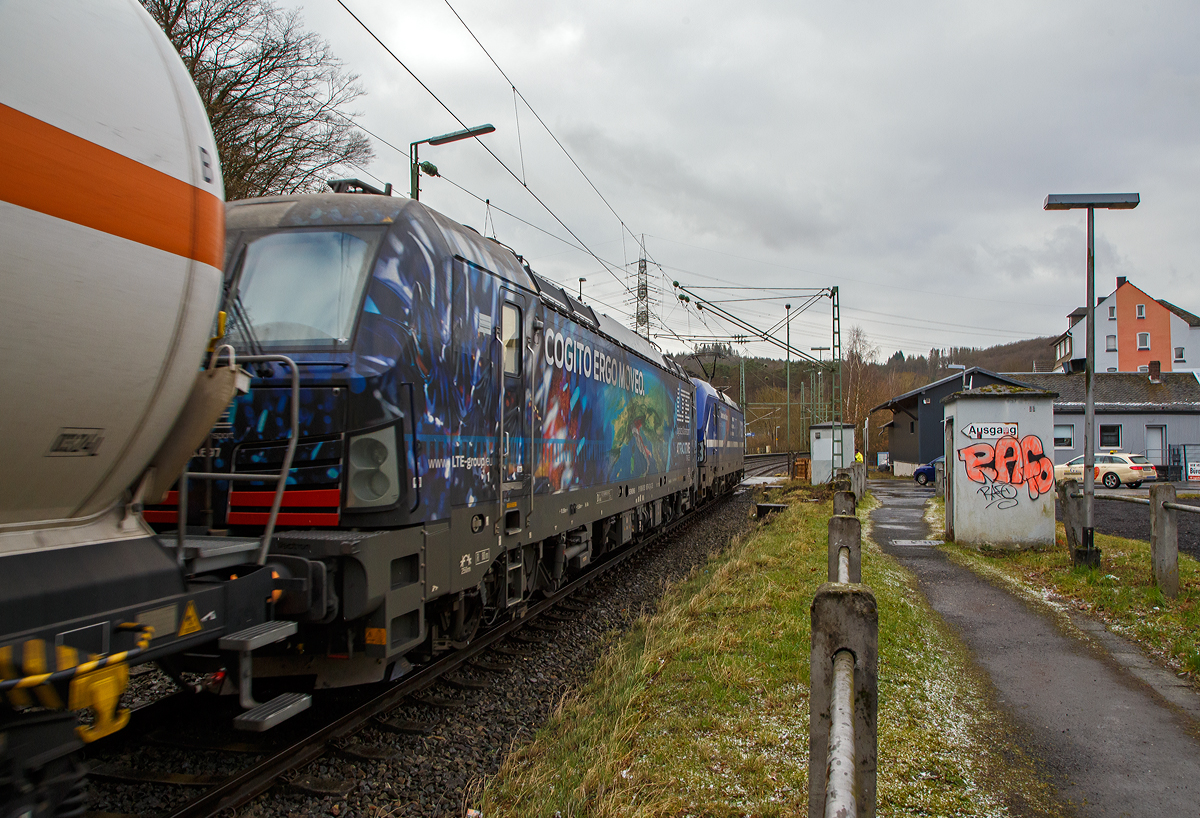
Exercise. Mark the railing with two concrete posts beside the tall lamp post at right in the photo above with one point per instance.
(1165, 532)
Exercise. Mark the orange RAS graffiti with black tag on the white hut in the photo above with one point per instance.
(1007, 465)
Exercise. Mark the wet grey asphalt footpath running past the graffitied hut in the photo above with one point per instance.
(1115, 735)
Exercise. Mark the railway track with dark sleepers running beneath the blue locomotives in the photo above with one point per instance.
(278, 761)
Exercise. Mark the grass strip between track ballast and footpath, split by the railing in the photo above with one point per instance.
(703, 708)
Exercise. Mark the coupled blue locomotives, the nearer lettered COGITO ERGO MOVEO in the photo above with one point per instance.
(471, 435)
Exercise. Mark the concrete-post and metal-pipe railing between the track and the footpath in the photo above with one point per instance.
(844, 671)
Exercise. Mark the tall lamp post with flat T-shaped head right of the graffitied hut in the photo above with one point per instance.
(1089, 555)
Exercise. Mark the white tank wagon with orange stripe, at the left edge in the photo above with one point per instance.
(112, 228)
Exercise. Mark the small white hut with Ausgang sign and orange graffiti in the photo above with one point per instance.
(1000, 488)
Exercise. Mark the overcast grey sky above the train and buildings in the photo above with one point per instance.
(899, 152)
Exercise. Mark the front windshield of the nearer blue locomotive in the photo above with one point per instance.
(302, 288)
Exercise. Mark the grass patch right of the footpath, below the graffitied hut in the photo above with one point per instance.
(1121, 592)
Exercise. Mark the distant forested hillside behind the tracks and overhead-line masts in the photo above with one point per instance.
(869, 378)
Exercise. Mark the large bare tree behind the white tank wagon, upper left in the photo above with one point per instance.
(275, 94)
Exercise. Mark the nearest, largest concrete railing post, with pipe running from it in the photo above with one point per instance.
(844, 618)
